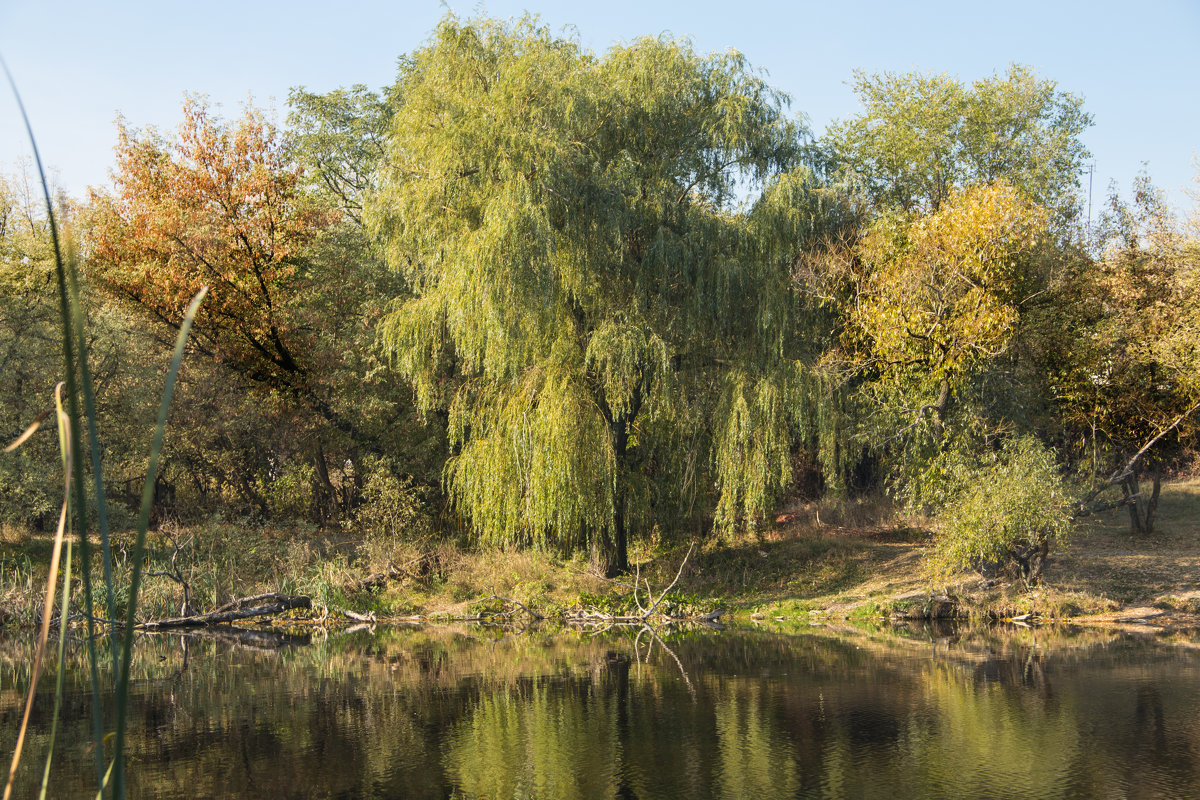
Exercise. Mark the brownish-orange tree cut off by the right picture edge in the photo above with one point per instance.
(1129, 377)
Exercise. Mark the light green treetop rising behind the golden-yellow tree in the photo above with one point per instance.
(920, 137)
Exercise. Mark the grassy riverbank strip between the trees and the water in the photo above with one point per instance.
(815, 562)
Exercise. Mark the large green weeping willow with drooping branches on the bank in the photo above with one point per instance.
(609, 332)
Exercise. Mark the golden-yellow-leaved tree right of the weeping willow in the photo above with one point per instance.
(938, 305)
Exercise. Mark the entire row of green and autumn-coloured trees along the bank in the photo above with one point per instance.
(543, 297)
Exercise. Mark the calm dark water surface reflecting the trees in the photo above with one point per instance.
(476, 713)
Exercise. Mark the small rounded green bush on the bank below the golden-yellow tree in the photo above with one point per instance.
(1005, 514)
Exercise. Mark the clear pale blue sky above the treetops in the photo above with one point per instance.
(79, 63)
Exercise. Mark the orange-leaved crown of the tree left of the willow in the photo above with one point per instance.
(218, 206)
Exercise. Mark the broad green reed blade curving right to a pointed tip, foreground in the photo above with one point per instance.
(123, 682)
